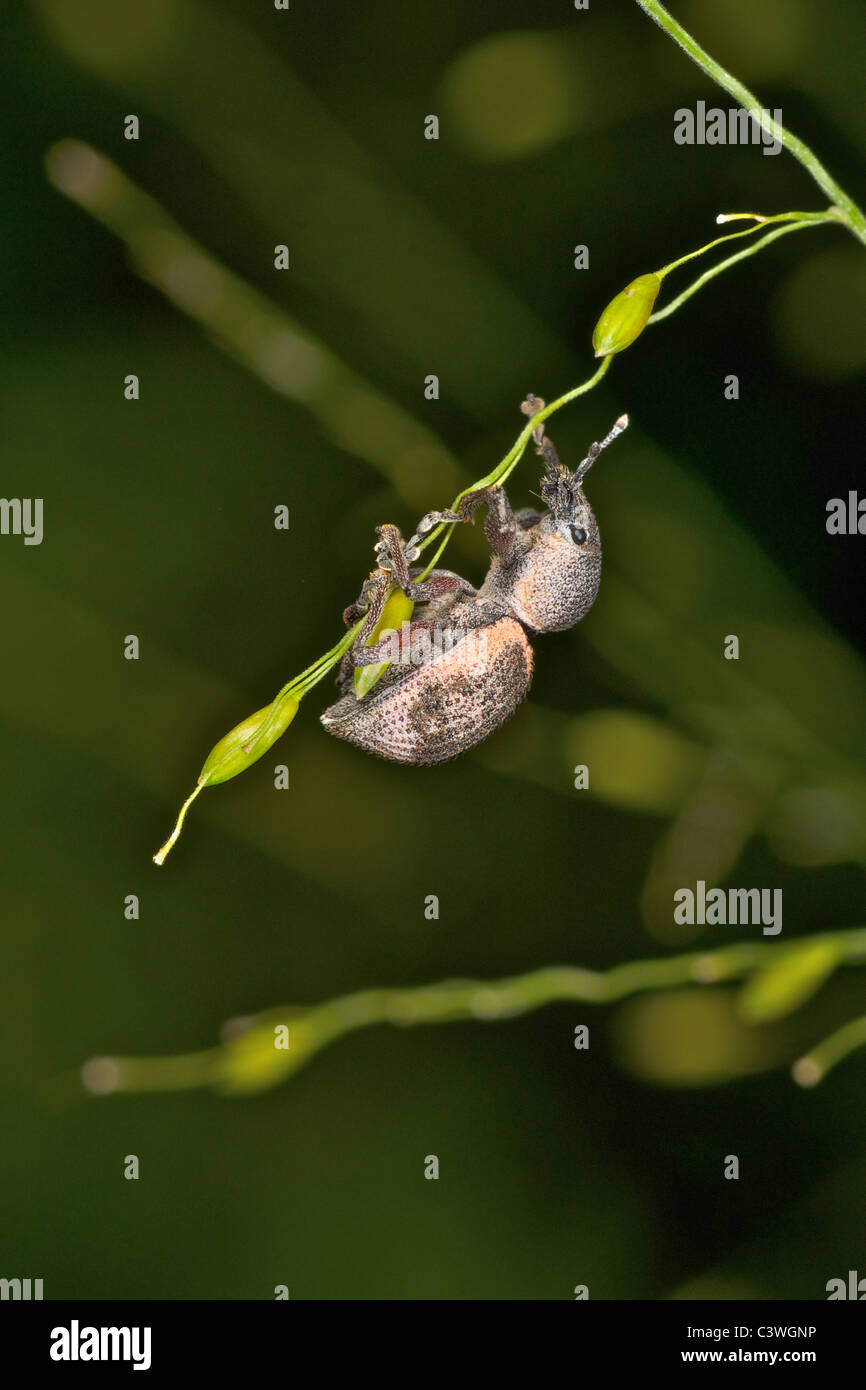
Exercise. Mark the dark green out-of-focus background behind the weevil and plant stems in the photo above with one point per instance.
(307, 389)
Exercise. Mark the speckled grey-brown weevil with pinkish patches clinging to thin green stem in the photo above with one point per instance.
(465, 664)
